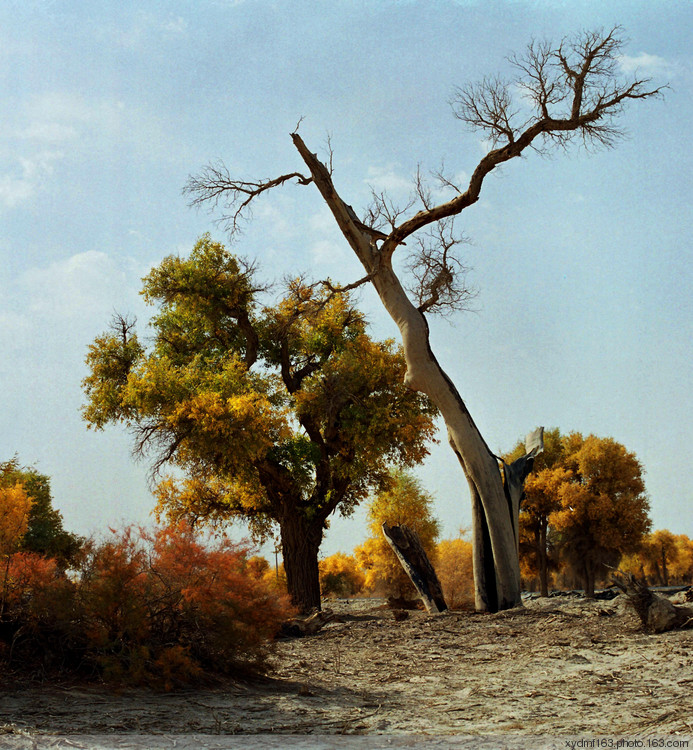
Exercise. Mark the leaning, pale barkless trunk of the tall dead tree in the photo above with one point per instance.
(494, 520)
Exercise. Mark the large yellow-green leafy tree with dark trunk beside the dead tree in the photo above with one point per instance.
(278, 414)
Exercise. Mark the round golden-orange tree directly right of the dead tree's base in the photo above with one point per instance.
(584, 505)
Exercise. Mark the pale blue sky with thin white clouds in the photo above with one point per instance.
(582, 261)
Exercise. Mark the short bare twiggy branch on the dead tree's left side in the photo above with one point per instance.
(214, 186)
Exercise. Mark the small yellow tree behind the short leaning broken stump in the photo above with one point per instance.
(404, 503)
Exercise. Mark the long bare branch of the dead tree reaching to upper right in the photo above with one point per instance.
(576, 92)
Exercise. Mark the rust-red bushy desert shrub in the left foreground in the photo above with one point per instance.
(158, 608)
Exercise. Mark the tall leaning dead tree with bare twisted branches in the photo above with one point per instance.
(571, 92)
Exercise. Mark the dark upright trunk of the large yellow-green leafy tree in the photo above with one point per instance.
(300, 545)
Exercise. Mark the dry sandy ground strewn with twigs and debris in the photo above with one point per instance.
(558, 666)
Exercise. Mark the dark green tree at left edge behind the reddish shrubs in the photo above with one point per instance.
(44, 534)
